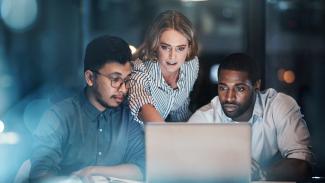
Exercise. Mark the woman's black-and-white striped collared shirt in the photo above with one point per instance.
(149, 87)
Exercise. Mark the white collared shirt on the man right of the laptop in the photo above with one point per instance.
(277, 126)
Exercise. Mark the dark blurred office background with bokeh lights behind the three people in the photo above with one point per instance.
(42, 43)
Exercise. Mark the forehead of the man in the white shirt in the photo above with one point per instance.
(233, 77)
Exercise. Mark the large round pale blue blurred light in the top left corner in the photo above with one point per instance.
(19, 14)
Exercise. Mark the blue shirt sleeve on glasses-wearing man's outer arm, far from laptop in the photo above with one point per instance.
(47, 151)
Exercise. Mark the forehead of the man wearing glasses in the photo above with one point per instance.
(114, 67)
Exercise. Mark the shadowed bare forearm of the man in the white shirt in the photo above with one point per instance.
(289, 169)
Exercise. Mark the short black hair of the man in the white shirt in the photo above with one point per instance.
(241, 62)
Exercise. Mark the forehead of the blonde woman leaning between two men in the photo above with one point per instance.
(173, 37)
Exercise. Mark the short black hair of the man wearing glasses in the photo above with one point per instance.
(106, 49)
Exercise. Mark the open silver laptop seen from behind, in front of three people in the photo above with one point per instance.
(187, 152)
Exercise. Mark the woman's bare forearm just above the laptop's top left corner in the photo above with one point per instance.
(149, 114)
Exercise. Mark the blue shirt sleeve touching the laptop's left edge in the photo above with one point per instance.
(135, 150)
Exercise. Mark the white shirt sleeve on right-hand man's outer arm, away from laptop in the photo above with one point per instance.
(292, 133)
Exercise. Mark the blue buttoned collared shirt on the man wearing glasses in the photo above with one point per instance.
(73, 134)
